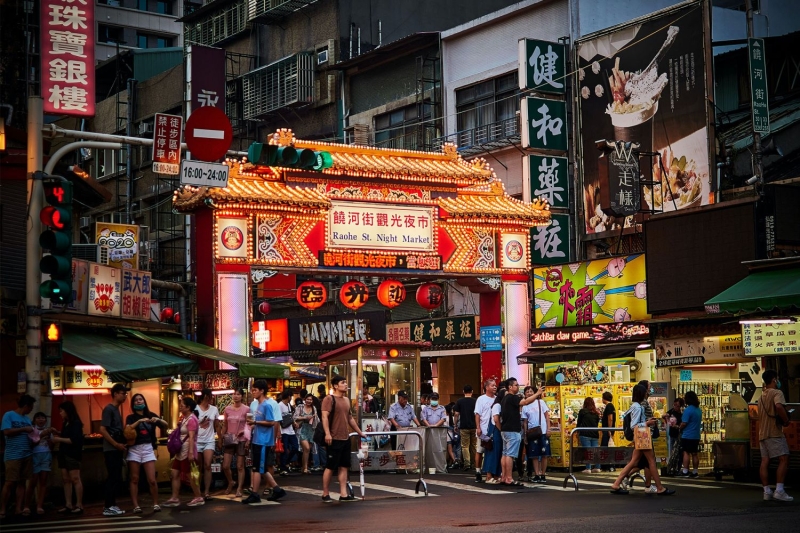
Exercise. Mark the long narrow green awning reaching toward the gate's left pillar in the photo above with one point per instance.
(248, 367)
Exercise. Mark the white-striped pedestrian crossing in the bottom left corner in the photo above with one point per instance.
(95, 525)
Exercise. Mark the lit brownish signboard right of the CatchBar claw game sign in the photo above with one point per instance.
(697, 350)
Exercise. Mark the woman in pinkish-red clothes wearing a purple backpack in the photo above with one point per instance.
(185, 455)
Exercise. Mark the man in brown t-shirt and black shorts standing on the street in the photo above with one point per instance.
(337, 422)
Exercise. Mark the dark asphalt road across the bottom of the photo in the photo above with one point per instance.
(456, 503)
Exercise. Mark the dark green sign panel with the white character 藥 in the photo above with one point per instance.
(547, 178)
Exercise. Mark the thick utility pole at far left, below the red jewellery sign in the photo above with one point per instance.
(33, 301)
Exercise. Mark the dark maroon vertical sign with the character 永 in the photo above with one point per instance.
(206, 77)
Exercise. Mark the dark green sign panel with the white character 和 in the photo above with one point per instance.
(544, 124)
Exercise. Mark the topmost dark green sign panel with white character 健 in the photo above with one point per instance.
(542, 66)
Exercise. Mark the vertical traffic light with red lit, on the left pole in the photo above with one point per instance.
(57, 240)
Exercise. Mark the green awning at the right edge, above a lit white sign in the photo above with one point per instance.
(765, 291)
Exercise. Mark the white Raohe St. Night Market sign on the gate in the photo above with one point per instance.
(380, 226)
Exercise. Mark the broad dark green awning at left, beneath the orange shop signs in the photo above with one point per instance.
(125, 361)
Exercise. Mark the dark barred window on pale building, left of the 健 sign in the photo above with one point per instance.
(490, 107)
